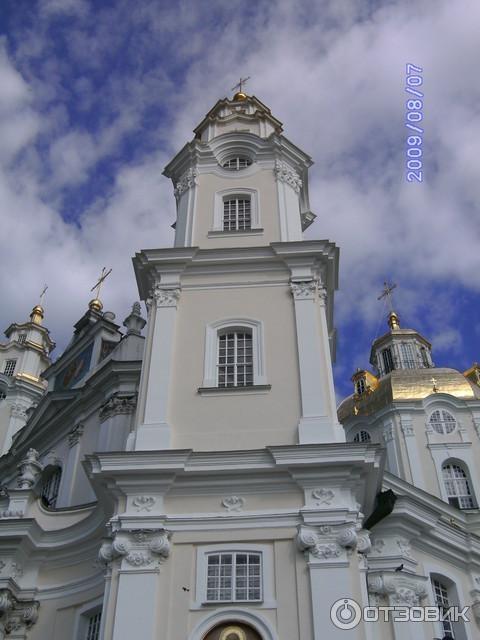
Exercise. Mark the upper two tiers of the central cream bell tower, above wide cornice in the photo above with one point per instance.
(240, 322)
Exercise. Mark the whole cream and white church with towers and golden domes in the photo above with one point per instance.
(186, 475)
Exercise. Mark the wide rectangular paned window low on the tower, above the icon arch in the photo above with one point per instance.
(234, 577)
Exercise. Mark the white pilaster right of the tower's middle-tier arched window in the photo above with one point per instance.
(318, 422)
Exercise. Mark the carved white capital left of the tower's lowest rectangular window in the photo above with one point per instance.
(139, 548)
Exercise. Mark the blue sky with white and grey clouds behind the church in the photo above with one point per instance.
(97, 95)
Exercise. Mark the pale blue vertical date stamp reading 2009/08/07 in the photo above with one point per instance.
(414, 117)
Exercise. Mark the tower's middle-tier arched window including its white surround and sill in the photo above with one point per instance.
(234, 354)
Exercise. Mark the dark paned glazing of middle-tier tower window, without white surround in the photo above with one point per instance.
(235, 359)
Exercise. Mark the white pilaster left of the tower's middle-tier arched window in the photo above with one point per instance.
(153, 431)
